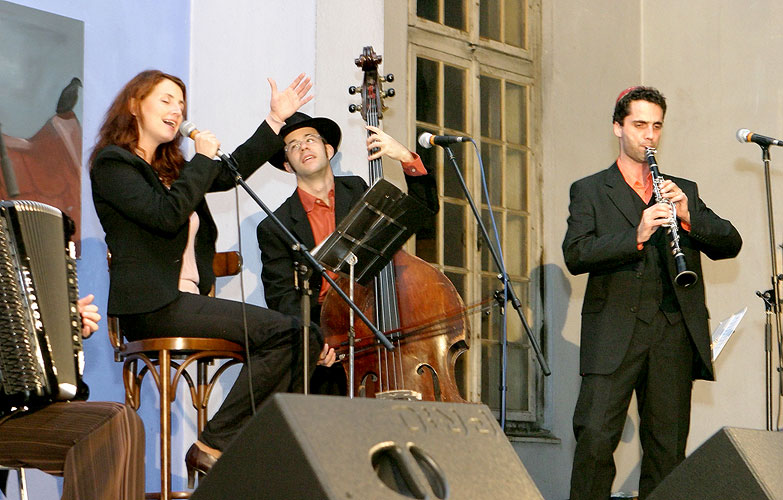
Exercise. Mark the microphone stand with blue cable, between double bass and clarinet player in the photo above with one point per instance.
(508, 293)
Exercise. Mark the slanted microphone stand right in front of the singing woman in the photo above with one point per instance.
(311, 263)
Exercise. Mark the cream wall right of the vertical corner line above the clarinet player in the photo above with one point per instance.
(719, 78)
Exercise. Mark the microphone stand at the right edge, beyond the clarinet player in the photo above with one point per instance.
(771, 306)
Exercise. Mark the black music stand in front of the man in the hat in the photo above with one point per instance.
(368, 237)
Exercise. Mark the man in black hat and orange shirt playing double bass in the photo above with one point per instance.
(312, 212)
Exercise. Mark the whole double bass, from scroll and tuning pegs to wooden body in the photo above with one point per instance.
(414, 305)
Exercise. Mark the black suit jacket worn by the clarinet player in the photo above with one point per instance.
(601, 241)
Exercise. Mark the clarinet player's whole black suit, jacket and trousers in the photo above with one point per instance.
(631, 306)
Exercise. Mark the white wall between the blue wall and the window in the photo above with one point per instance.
(229, 95)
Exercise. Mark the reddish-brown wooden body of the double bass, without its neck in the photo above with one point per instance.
(431, 335)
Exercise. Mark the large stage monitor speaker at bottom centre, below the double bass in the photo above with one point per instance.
(331, 447)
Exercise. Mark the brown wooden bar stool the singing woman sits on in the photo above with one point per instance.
(160, 356)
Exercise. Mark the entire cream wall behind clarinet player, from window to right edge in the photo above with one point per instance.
(710, 60)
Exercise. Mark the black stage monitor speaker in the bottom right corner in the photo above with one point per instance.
(733, 464)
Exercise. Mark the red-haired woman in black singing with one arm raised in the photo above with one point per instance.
(161, 236)
